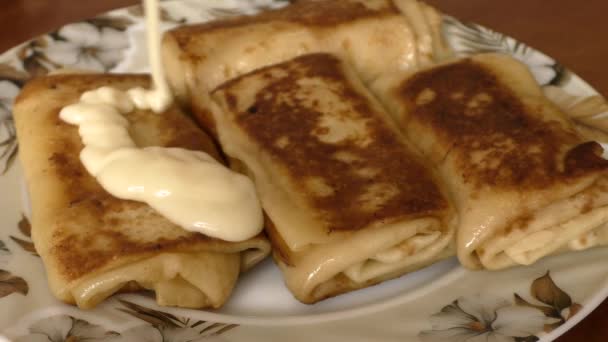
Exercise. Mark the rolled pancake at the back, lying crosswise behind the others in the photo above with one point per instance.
(373, 36)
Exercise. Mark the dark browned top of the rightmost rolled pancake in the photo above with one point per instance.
(496, 139)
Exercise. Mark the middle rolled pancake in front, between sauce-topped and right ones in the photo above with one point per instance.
(348, 203)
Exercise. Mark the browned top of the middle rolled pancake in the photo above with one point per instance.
(367, 176)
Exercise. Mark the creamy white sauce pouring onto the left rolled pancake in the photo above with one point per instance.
(189, 188)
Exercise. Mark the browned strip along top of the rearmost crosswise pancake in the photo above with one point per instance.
(308, 13)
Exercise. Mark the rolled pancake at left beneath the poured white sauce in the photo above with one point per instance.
(93, 244)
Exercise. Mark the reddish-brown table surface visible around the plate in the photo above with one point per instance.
(573, 32)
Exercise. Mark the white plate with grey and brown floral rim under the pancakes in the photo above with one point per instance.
(443, 302)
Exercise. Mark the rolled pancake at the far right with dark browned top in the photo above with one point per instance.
(525, 183)
